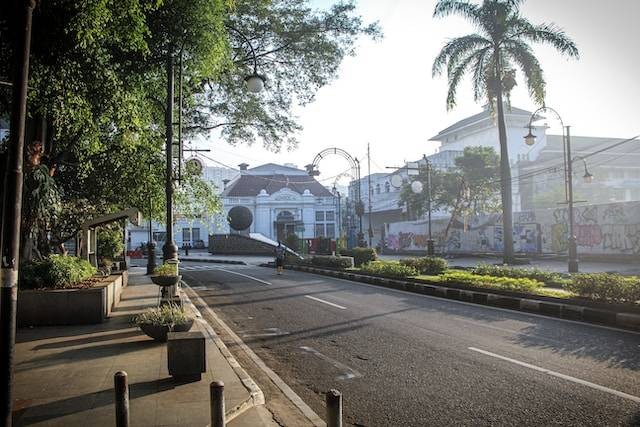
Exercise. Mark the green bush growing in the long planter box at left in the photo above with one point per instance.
(56, 272)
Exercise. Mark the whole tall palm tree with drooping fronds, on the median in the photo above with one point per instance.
(490, 56)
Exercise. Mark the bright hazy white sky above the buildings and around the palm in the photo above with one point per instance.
(386, 96)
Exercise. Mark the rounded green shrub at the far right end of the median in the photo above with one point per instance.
(606, 287)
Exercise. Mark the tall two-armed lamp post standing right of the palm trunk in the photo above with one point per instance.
(530, 139)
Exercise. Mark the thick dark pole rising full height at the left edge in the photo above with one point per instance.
(12, 210)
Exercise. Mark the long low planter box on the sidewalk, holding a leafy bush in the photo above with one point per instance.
(69, 306)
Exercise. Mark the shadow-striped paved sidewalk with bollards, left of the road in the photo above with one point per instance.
(64, 375)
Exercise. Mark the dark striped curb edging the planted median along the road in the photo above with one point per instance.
(546, 308)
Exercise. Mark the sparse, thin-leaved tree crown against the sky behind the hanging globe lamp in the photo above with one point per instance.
(298, 49)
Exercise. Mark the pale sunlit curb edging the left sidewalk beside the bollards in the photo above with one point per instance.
(256, 397)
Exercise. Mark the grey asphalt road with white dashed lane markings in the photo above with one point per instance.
(402, 359)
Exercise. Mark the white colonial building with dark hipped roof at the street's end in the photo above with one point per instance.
(284, 200)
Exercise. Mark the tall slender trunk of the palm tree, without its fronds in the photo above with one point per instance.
(505, 172)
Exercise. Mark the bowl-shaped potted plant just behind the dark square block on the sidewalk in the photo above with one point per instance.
(158, 322)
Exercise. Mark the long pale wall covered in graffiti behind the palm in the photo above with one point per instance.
(600, 229)
